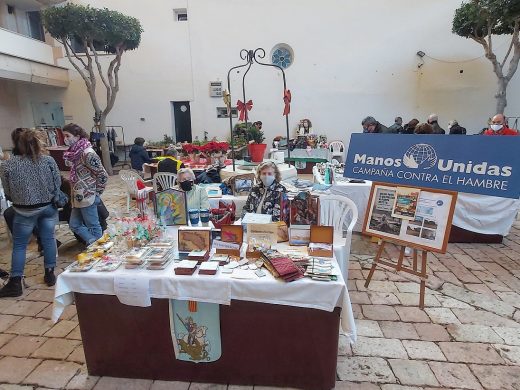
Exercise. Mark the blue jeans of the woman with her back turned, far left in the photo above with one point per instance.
(45, 220)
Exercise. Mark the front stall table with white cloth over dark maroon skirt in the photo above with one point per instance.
(272, 333)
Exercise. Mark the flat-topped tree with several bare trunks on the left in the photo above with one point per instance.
(98, 32)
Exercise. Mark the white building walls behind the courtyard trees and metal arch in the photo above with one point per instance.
(349, 60)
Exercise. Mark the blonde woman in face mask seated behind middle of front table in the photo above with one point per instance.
(266, 196)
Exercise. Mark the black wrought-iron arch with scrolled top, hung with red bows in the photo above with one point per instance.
(250, 57)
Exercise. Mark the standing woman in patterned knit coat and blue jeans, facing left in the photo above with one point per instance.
(88, 179)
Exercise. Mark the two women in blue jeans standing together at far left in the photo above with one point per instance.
(32, 183)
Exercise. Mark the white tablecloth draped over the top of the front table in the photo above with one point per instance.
(220, 288)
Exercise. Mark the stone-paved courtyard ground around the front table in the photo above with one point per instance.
(468, 336)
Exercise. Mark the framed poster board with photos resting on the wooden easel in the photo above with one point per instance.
(418, 217)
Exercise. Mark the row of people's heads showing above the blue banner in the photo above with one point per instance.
(498, 125)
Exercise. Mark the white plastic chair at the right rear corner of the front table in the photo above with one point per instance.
(335, 211)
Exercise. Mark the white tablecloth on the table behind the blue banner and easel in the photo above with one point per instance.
(476, 213)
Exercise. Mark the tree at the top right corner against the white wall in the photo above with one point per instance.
(479, 20)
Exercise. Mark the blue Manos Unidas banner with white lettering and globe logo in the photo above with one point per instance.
(487, 165)
